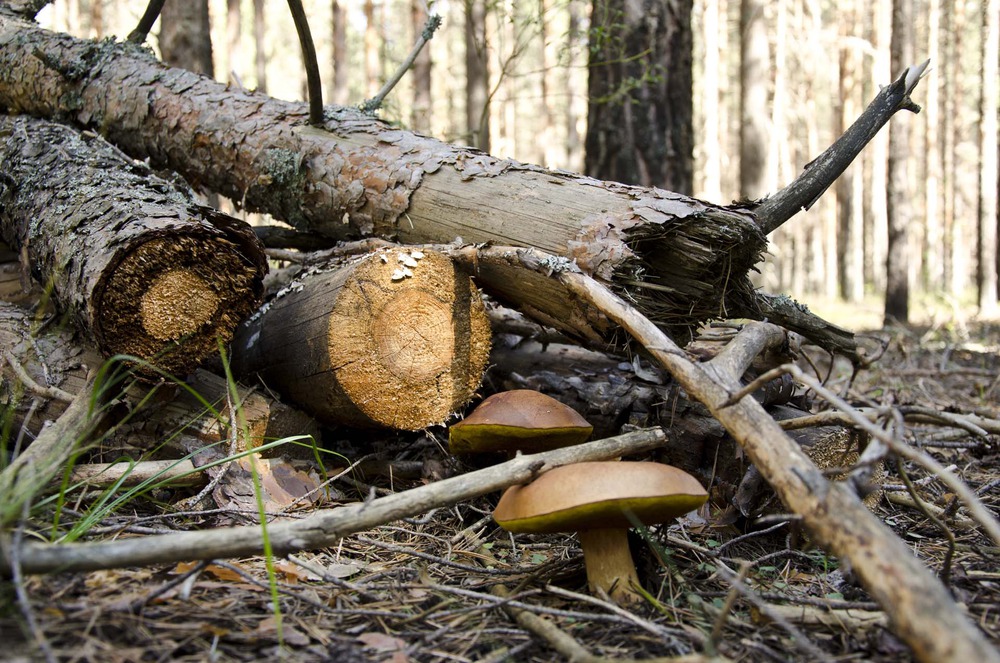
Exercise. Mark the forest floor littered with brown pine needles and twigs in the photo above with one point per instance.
(430, 589)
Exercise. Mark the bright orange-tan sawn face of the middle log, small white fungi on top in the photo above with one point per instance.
(409, 343)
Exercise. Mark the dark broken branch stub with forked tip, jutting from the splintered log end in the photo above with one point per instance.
(817, 177)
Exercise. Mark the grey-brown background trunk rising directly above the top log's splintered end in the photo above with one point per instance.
(754, 113)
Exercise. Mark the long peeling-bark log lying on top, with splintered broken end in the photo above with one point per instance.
(679, 259)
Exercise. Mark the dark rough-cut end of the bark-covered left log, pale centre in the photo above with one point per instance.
(168, 300)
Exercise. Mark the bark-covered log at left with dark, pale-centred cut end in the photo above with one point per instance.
(133, 259)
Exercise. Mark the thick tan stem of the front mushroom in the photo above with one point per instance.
(609, 564)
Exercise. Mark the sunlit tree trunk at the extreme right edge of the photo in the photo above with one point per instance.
(986, 269)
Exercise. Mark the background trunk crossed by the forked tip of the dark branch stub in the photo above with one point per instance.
(897, 261)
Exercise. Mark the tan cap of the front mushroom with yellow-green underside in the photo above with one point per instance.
(599, 495)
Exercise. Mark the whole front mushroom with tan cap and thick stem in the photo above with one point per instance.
(601, 501)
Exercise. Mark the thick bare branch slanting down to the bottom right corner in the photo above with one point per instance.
(921, 610)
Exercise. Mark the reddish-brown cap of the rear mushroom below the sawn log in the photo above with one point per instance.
(518, 420)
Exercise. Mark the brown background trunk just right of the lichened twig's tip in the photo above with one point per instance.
(477, 76)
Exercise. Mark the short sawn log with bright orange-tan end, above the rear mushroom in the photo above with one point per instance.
(397, 338)
